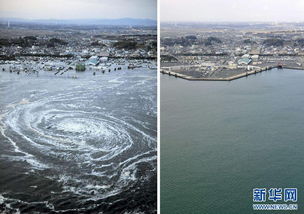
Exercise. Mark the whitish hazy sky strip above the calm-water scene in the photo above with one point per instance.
(232, 10)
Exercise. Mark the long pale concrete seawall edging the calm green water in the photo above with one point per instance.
(238, 76)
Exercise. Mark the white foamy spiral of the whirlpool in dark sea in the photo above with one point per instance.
(64, 133)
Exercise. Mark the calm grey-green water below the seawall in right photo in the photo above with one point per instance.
(219, 140)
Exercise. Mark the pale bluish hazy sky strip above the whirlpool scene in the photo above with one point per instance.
(75, 9)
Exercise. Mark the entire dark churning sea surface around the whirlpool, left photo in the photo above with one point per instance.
(85, 145)
